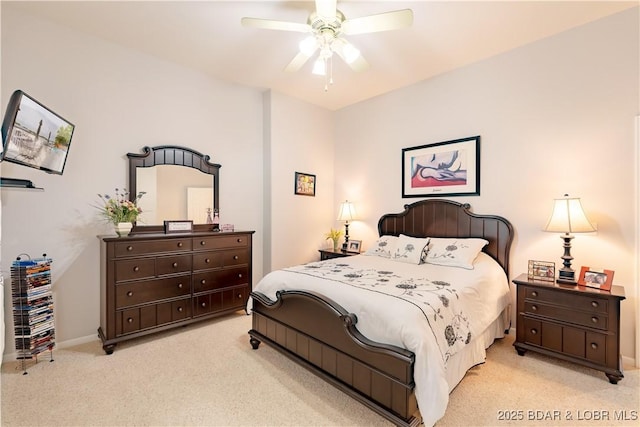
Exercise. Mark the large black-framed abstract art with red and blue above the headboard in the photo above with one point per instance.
(449, 168)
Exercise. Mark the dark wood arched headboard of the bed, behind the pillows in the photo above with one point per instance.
(446, 218)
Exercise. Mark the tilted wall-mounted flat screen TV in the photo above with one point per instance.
(34, 136)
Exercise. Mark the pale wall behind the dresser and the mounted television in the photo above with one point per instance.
(120, 101)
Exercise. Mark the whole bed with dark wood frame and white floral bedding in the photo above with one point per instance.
(396, 353)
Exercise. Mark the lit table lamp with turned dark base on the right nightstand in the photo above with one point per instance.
(568, 217)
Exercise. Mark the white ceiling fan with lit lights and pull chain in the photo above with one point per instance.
(326, 26)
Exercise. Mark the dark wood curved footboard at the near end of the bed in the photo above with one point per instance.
(322, 336)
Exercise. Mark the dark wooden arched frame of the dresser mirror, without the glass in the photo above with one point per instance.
(172, 155)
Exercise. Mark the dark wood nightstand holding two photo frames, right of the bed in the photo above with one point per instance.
(573, 323)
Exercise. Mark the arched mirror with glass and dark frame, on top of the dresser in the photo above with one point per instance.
(179, 184)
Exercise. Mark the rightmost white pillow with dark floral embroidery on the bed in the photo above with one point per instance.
(454, 252)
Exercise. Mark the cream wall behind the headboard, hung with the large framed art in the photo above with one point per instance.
(555, 117)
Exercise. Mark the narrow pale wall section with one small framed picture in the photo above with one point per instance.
(300, 139)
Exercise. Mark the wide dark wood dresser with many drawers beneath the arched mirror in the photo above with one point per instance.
(154, 282)
